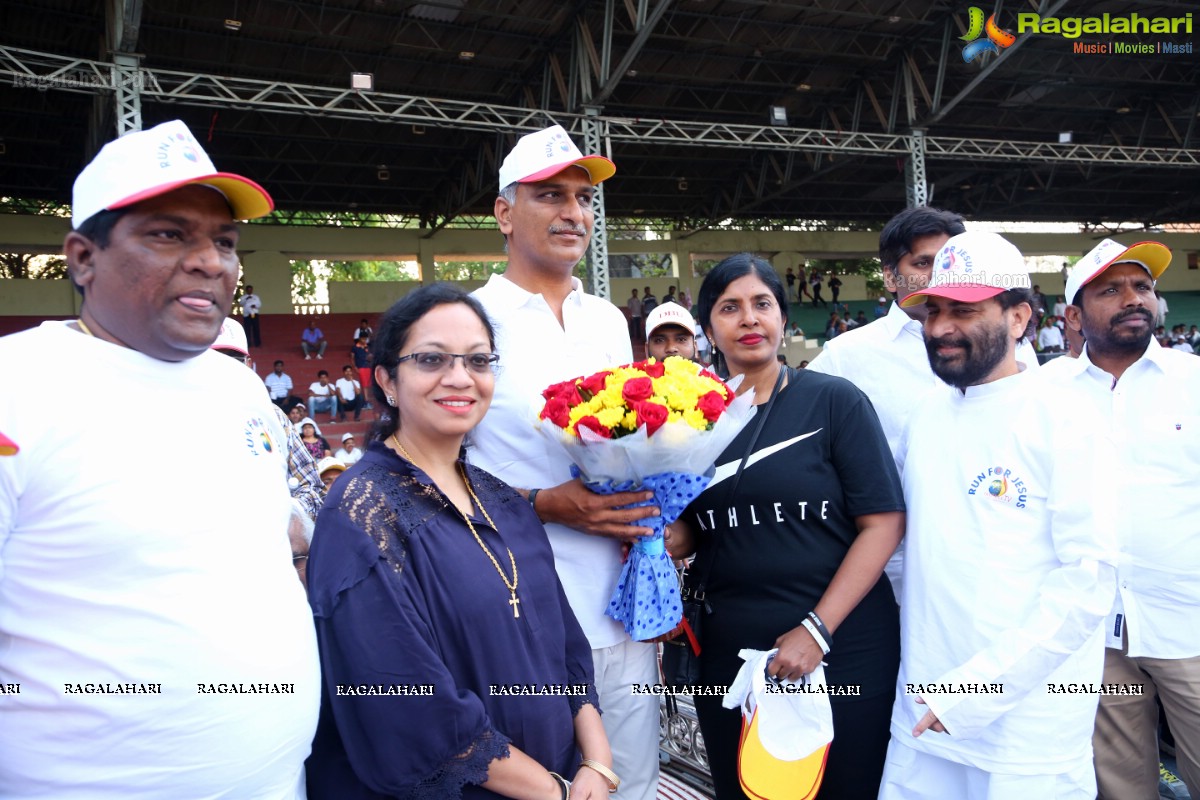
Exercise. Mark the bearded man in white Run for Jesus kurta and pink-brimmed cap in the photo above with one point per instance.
(1007, 572)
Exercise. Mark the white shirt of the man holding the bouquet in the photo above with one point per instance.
(537, 352)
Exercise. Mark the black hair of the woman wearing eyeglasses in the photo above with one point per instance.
(392, 334)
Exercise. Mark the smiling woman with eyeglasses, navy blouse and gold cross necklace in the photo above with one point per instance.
(452, 664)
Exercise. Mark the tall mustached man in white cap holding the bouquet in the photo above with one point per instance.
(548, 330)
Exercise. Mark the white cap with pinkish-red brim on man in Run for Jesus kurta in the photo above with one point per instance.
(975, 267)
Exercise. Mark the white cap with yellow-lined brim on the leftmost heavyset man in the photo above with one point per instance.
(148, 164)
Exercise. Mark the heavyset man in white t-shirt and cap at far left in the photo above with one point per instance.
(161, 642)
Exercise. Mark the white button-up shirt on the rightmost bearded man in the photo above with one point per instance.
(1154, 413)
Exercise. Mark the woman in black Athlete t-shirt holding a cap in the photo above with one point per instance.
(814, 519)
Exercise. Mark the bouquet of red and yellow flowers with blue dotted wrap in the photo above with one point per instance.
(650, 425)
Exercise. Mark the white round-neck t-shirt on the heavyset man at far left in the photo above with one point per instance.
(149, 610)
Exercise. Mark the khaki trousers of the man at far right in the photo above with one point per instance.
(1126, 741)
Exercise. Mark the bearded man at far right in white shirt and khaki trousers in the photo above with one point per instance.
(1147, 398)
